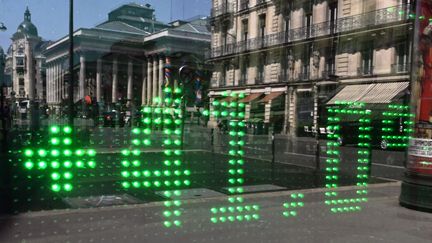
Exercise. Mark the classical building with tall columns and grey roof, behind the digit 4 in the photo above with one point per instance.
(125, 58)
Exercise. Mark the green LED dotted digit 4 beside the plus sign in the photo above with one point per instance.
(163, 121)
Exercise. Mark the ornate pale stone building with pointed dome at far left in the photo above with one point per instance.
(25, 62)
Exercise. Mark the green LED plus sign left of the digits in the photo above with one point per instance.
(59, 161)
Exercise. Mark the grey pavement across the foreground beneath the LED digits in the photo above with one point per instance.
(381, 219)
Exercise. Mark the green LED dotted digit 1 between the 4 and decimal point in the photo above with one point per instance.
(232, 110)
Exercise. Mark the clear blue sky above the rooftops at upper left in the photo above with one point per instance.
(51, 16)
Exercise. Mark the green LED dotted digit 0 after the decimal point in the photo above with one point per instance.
(353, 111)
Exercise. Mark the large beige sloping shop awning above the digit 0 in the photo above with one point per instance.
(382, 93)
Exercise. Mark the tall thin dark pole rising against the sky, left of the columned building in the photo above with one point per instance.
(71, 62)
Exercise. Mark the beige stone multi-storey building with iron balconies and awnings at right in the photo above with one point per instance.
(293, 57)
